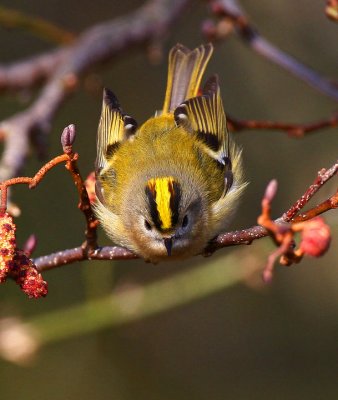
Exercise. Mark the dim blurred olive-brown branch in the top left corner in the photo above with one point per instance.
(38, 26)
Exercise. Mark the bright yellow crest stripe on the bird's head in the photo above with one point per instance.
(162, 187)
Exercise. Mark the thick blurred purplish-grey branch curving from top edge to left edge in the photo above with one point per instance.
(97, 44)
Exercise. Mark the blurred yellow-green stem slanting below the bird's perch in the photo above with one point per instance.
(138, 302)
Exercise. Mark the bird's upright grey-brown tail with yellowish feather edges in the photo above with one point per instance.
(186, 68)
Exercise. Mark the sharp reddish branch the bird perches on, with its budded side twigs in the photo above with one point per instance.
(90, 250)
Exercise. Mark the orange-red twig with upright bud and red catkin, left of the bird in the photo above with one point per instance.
(14, 262)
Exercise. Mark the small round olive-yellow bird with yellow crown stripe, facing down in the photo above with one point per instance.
(168, 187)
